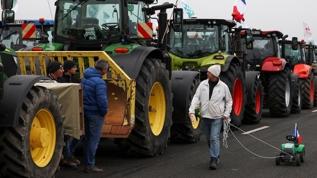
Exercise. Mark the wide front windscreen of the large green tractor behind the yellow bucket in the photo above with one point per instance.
(88, 20)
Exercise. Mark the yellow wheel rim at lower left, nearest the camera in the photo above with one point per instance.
(42, 138)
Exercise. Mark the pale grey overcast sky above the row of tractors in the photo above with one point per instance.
(284, 15)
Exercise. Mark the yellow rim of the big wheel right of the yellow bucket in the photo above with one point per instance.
(157, 108)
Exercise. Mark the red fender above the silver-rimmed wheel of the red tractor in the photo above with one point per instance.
(273, 64)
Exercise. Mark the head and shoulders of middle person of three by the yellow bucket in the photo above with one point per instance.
(70, 70)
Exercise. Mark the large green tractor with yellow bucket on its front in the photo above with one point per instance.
(139, 80)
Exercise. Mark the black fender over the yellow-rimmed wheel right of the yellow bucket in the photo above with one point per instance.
(131, 63)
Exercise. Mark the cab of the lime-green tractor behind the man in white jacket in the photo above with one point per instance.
(200, 38)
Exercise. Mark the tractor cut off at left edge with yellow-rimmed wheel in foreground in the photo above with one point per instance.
(31, 132)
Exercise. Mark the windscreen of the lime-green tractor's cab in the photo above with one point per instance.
(195, 41)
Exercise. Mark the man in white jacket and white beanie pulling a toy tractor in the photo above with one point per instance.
(215, 102)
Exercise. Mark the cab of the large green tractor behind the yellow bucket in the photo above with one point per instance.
(95, 24)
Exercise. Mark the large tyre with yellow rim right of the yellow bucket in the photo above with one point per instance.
(153, 110)
